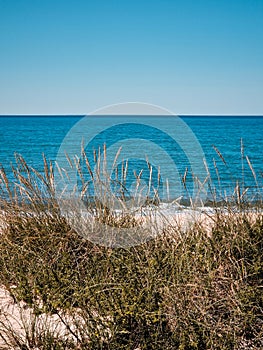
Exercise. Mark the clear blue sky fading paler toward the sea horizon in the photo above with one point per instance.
(74, 56)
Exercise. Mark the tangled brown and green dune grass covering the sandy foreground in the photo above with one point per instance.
(184, 289)
